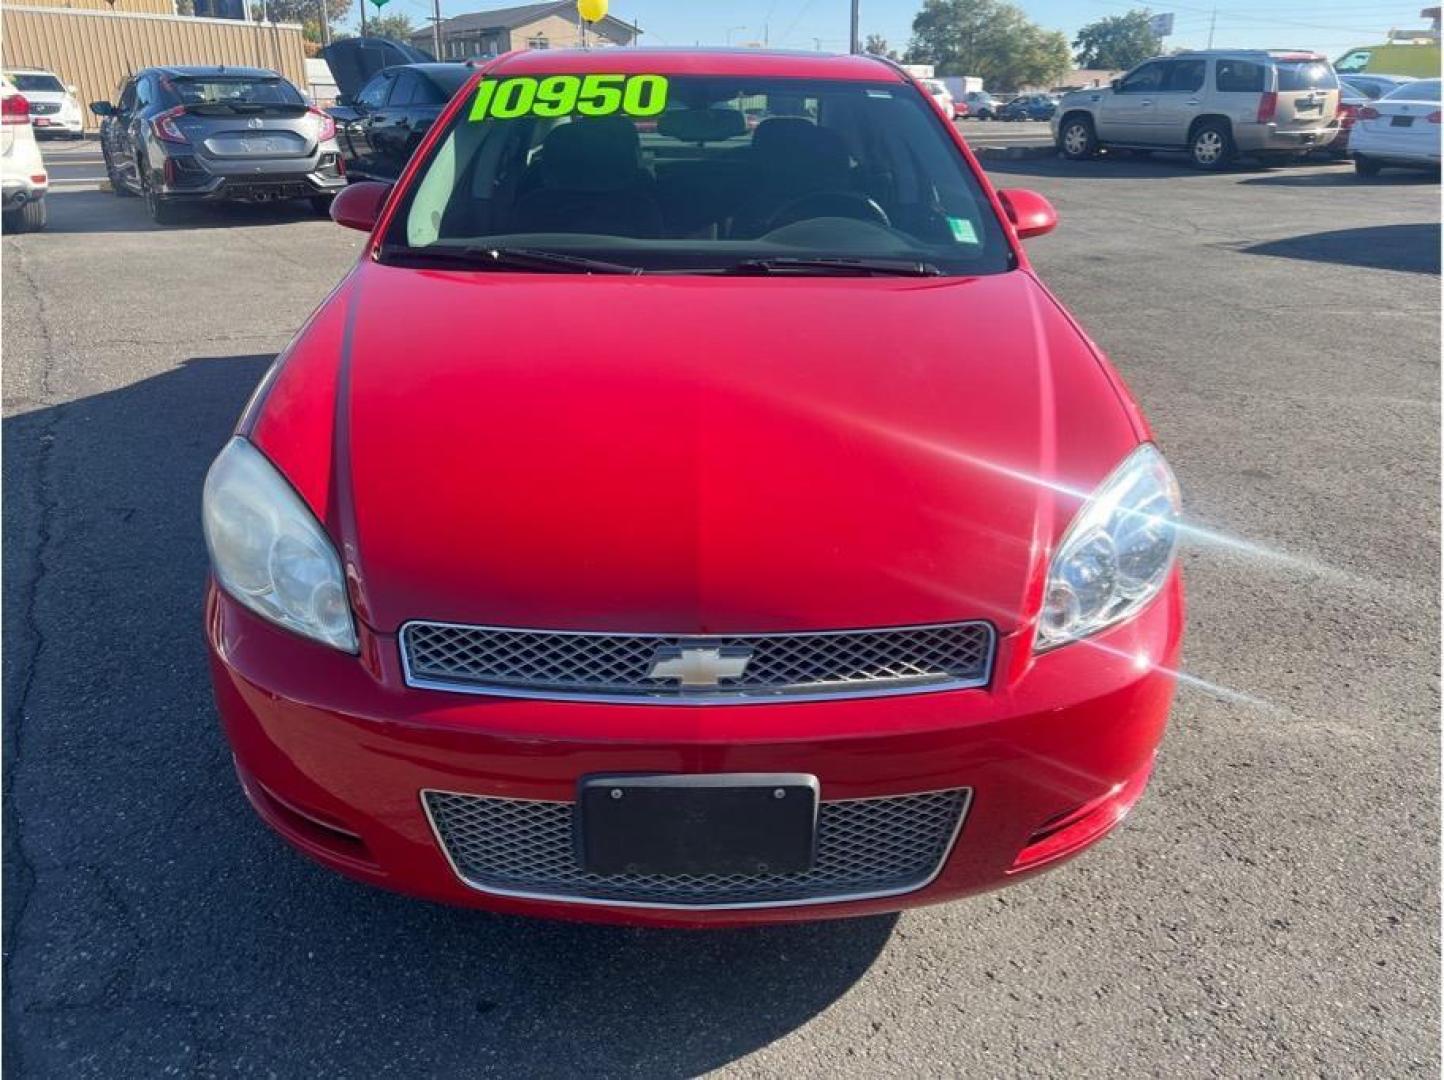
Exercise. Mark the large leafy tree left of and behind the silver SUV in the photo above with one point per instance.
(991, 40)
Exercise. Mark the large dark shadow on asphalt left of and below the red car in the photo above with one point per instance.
(155, 925)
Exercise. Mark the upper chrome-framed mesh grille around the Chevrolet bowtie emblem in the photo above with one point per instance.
(616, 666)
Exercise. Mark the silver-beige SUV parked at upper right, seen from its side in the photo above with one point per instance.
(1217, 106)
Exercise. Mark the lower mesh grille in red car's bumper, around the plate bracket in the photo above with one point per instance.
(866, 848)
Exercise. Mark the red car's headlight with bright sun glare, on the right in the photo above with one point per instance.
(1117, 555)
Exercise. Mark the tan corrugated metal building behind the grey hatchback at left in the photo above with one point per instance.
(95, 48)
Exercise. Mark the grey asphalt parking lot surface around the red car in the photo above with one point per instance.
(1270, 909)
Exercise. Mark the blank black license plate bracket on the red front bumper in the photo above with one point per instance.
(698, 825)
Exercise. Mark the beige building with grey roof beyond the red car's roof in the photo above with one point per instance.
(531, 27)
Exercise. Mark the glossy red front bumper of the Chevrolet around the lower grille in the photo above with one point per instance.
(336, 752)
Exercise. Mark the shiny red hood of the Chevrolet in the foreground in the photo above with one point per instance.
(692, 456)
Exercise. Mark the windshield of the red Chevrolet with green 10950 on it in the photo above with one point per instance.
(688, 173)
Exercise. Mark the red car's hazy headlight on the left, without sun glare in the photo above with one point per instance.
(269, 552)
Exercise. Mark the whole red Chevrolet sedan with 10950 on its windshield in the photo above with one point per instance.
(691, 510)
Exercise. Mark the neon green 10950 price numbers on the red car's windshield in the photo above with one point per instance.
(560, 96)
